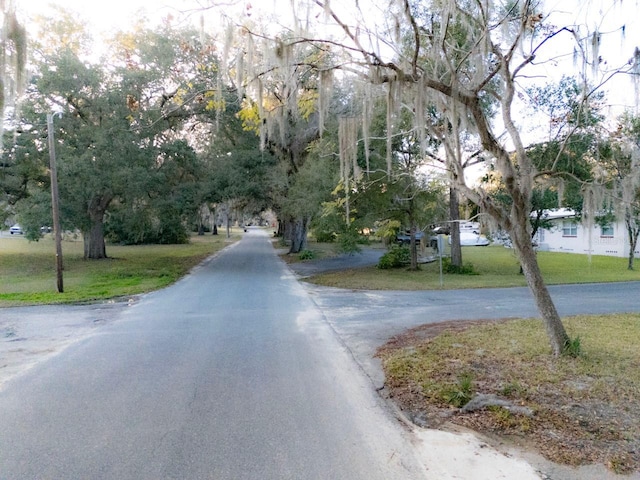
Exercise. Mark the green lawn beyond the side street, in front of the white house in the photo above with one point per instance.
(496, 267)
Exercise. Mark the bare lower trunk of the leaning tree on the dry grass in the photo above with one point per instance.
(553, 324)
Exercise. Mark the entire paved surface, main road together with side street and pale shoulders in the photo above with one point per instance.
(240, 372)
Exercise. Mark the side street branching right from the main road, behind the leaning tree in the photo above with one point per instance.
(364, 320)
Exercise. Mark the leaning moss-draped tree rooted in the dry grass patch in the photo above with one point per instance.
(457, 58)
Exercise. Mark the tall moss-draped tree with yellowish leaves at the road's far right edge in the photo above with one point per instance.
(283, 93)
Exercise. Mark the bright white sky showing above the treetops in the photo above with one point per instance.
(604, 15)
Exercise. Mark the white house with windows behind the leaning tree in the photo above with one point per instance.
(569, 235)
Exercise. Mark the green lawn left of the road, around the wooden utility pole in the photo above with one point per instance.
(28, 269)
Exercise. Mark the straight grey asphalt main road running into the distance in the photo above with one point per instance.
(232, 373)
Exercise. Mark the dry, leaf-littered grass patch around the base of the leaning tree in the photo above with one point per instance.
(583, 410)
